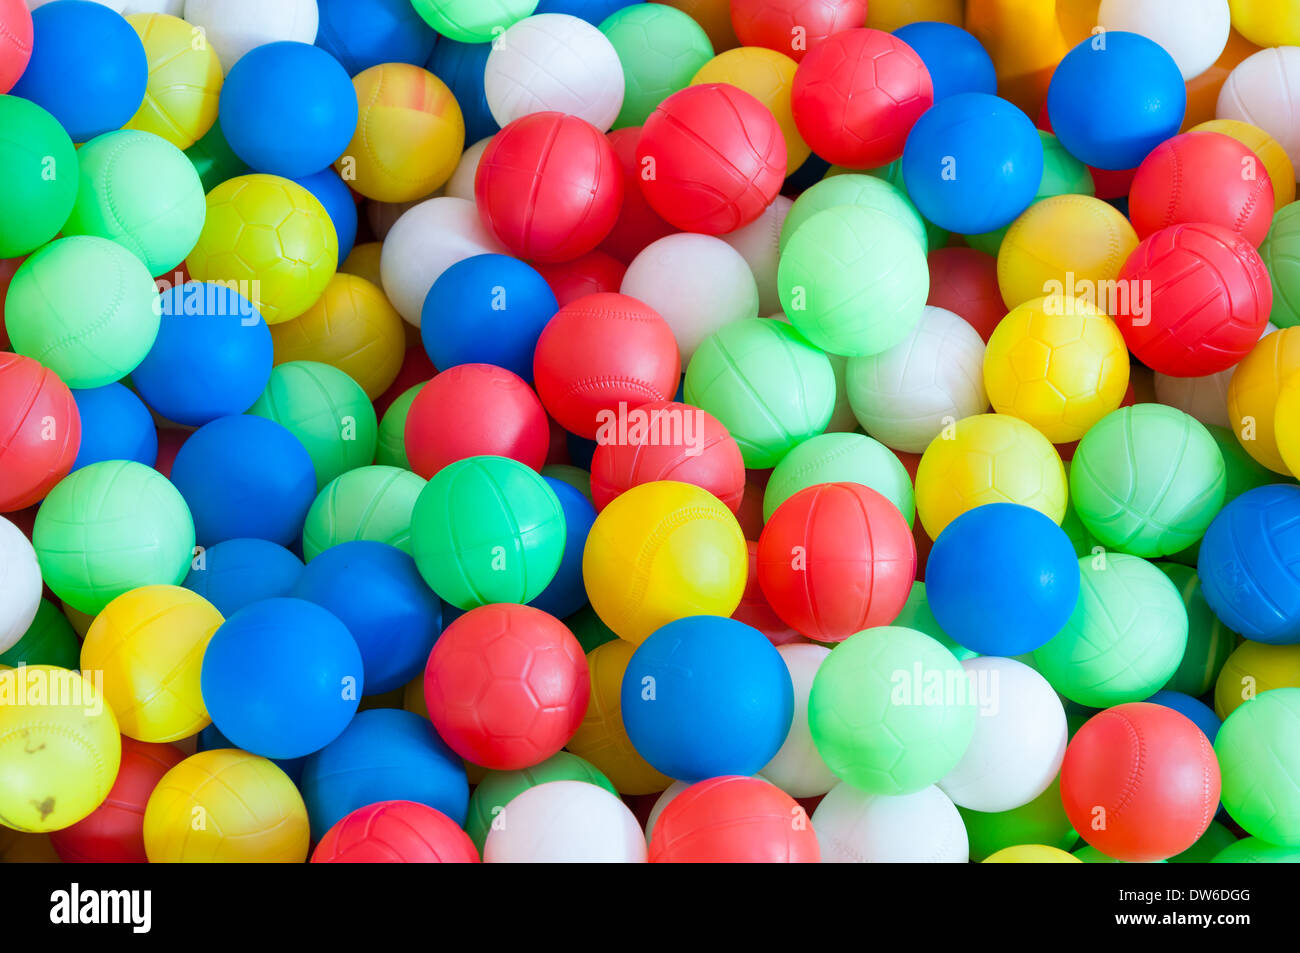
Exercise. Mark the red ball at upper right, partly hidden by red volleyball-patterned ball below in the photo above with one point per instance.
(1203, 177)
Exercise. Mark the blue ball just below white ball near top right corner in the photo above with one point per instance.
(1115, 98)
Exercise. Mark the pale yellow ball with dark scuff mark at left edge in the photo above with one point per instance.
(59, 748)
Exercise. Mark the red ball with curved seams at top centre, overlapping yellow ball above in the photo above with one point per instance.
(712, 159)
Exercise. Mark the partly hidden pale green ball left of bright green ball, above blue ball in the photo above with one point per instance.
(366, 504)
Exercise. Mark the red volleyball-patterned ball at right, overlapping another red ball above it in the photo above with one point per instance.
(1198, 300)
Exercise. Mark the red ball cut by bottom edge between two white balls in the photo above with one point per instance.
(734, 820)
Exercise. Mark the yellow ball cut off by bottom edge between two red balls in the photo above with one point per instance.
(226, 807)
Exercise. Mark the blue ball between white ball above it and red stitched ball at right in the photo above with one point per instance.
(487, 310)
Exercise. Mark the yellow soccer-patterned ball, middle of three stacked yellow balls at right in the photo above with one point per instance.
(1059, 365)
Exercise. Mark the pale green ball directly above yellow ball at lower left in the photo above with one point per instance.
(110, 529)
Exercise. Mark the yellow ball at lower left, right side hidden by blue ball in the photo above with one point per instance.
(149, 644)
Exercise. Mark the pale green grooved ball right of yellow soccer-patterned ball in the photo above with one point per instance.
(1149, 480)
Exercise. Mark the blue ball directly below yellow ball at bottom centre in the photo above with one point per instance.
(708, 696)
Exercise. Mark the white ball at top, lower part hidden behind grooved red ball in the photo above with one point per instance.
(554, 63)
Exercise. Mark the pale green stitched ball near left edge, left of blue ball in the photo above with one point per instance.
(86, 309)
